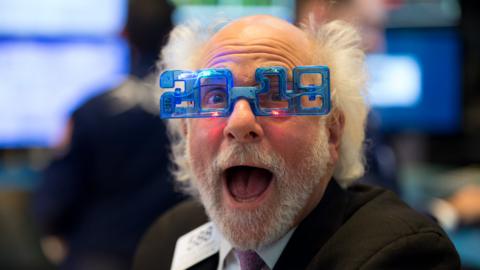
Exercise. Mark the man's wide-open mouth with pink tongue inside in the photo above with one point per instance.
(247, 182)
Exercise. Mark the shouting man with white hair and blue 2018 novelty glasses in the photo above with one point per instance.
(272, 171)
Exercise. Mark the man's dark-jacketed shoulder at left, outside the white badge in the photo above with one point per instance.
(156, 249)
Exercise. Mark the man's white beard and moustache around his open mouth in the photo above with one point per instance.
(292, 188)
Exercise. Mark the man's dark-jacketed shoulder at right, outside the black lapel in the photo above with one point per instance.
(382, 232)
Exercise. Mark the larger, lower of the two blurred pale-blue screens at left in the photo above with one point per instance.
(41, 82)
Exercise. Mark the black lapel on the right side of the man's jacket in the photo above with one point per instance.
(315, 229)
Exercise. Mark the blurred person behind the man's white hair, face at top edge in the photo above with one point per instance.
(369, 17)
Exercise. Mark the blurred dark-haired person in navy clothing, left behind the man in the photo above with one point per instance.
(110, 177)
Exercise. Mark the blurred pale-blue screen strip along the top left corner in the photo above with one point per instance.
(62, 17)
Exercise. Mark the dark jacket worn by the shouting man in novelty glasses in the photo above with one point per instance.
(358, 228)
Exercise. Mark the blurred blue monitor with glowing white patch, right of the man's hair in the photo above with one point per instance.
(415, 85)
